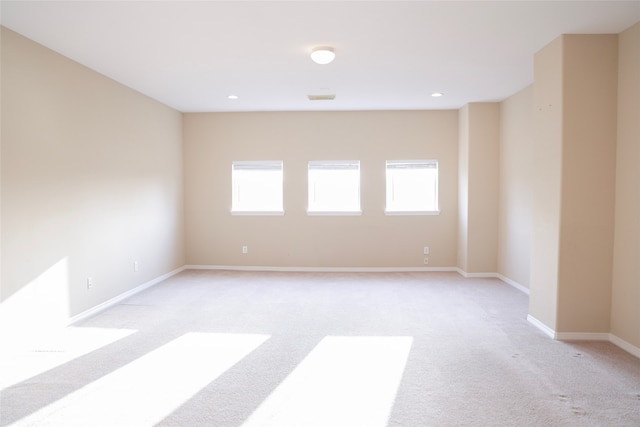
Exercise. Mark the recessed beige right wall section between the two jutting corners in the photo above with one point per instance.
(515, 186)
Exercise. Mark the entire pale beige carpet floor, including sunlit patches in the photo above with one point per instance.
(220, 348)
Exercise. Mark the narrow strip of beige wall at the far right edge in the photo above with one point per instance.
(625, 308)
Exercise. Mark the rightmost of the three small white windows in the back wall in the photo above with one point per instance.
(412, 187)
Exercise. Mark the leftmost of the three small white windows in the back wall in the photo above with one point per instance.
(257, 188)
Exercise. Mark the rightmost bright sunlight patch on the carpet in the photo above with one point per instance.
(344, 381)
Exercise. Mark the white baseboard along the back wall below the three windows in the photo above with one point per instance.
(319, 269)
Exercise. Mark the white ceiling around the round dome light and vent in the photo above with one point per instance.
(390, 54)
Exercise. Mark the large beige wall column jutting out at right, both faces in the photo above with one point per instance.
(575, 99)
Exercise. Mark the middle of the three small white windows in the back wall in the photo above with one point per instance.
(334, 187)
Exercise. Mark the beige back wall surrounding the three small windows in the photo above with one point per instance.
(214, 237)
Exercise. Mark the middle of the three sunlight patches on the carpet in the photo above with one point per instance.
(145, 391)
